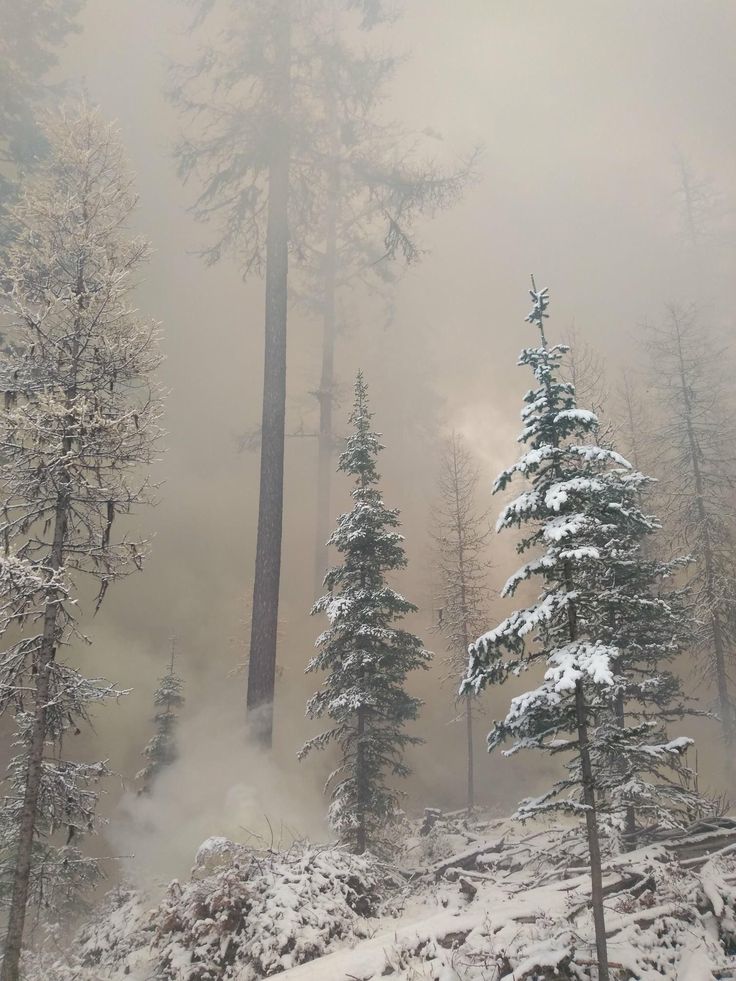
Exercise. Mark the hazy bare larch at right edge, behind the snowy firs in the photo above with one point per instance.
(697, 466)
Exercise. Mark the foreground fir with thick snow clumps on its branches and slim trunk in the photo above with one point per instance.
(581, 515)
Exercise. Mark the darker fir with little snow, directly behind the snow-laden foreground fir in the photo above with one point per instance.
(644, 619)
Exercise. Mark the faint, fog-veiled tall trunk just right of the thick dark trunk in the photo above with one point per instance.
(326, 393)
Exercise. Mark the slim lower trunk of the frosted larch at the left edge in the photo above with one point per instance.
(27, 830)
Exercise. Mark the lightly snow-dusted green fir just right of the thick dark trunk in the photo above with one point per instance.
(366, 657)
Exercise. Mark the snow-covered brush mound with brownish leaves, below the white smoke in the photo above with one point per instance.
(245, 914)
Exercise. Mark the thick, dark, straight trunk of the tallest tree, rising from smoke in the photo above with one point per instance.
(264, 623)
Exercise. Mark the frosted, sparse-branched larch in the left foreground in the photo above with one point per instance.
(78, 431)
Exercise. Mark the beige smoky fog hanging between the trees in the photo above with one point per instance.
(582, 110)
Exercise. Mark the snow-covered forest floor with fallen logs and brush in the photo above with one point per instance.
(470, 899)
